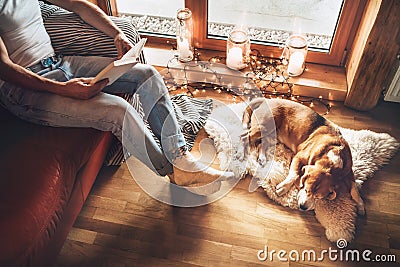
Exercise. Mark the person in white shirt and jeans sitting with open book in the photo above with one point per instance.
(49, 89)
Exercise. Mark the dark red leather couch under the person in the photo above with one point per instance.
(46, 174)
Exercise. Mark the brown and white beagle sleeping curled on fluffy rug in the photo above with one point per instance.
(321, 167)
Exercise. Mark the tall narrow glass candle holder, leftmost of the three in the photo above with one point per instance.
(184, 37)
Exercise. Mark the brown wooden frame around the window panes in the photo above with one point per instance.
(342, 42)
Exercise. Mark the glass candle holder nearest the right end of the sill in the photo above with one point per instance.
(295, 54)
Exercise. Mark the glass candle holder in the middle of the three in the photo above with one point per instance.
(237, 49)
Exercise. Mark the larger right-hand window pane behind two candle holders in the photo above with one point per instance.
(272, 21)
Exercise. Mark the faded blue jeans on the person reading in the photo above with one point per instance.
(105, 111)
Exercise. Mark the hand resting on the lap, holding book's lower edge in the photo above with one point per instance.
(80, 88)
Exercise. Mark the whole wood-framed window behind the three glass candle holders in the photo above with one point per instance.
(330, 25)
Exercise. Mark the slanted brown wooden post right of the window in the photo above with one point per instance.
(373, 54)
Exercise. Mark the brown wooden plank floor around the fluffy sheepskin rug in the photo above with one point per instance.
(120, 225)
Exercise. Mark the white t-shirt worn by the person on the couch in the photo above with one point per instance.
(23, 32)
